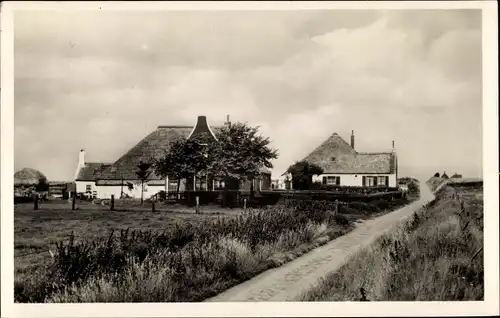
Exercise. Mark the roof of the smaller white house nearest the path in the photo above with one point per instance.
(335, 155)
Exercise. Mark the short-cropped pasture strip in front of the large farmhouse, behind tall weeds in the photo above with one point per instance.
(36, 231)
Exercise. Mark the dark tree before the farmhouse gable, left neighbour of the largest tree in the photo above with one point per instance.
(185, 158)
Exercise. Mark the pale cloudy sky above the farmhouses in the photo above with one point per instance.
(102, 81)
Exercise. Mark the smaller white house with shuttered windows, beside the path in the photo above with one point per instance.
(344, 166)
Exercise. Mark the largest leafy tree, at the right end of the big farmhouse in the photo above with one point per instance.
(239, 153)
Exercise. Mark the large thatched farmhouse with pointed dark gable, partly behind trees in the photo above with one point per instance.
(101, 180)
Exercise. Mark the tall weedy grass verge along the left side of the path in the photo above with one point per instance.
(187, 262)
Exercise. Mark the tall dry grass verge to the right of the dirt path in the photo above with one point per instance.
(435, 256)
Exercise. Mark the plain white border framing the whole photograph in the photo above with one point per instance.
(490, 148)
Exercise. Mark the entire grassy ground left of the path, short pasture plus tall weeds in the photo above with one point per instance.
(184, 257)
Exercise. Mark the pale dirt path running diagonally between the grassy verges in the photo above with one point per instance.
(287, 282)
